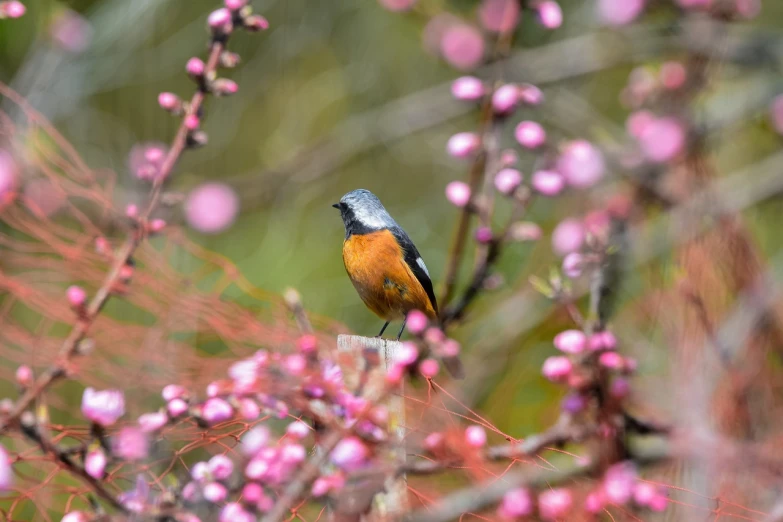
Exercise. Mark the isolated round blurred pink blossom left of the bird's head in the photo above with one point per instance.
(211, 208)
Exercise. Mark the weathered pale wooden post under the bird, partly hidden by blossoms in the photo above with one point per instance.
(355, 353)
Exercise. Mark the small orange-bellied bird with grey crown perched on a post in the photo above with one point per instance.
(385, 266)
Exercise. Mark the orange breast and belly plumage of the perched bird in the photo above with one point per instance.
(377, 268)
